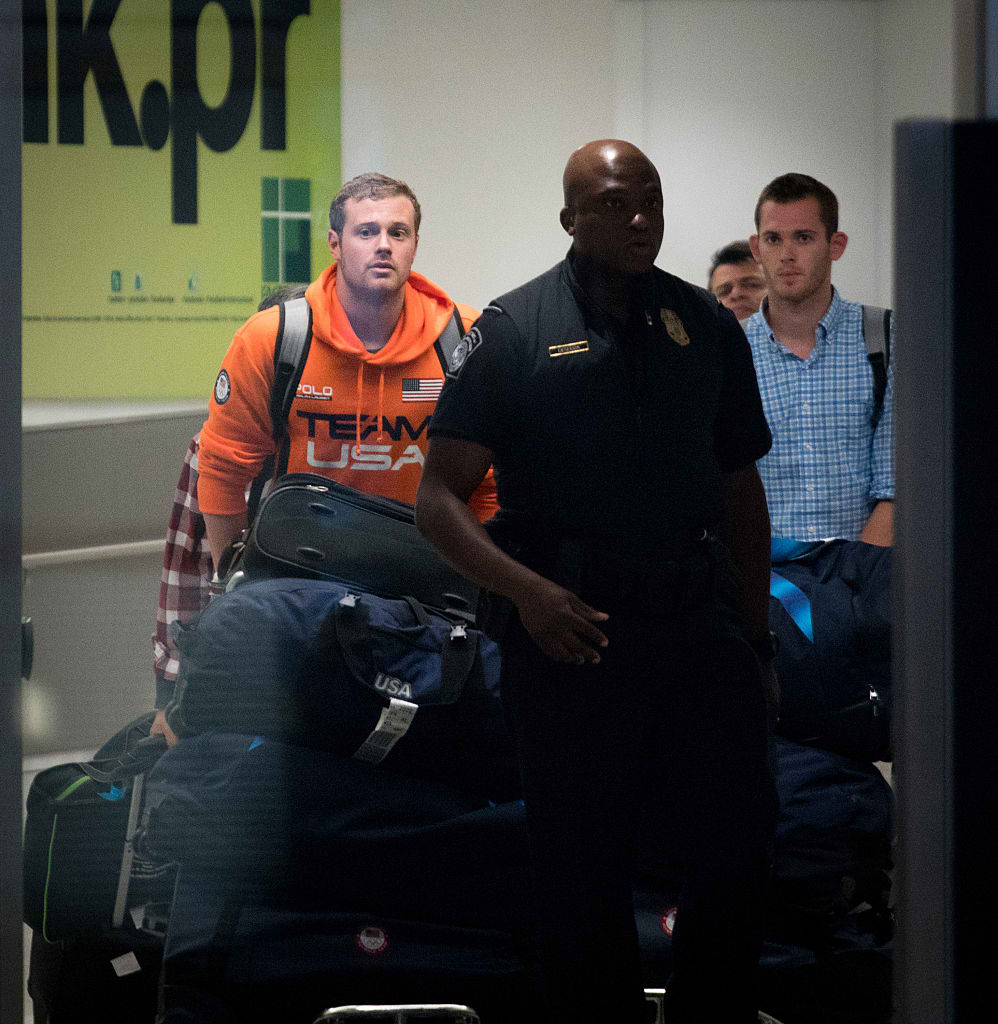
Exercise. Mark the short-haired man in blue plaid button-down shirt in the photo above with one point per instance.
(831, 472)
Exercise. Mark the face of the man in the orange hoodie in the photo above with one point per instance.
(374, 252)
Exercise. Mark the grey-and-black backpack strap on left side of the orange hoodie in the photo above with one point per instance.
(290, 354)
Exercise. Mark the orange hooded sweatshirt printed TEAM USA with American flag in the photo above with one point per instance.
(360, 418)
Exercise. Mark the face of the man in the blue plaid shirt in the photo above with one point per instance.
(795, 250)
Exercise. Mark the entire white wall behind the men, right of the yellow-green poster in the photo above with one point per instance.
(480, 105)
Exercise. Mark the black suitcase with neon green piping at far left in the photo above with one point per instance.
(97, 909)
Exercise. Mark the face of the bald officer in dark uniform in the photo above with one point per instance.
(617, 218)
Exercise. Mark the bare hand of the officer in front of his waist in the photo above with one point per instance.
(561, 625)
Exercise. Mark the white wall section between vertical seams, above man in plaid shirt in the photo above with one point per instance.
(739, 92)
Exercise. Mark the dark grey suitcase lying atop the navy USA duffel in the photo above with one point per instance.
(312, 527)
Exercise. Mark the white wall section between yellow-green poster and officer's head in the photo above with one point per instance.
(479, 107)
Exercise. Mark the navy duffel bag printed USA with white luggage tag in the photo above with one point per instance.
(312, 663)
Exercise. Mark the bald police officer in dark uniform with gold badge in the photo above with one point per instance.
(620, 407)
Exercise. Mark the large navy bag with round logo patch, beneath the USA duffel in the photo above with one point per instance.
(311, 878)
